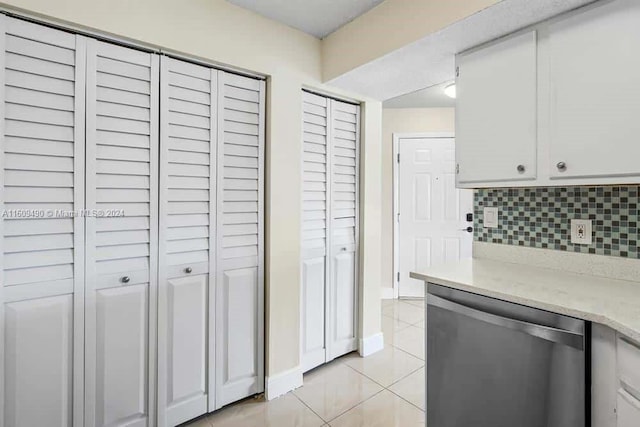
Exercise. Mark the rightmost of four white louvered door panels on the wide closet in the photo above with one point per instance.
(240, 247)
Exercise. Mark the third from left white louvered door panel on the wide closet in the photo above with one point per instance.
(187, 239)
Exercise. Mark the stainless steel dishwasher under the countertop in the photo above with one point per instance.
(491, 363)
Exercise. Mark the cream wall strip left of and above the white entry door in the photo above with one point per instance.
(402, 120)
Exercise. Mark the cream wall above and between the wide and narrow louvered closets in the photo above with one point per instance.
(218, 31)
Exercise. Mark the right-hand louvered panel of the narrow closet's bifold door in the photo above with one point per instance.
(342, 289)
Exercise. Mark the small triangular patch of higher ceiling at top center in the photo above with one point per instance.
(316, 17)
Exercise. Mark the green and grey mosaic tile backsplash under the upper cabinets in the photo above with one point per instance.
(540, 218)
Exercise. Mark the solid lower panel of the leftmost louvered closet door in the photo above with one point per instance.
(38, 362)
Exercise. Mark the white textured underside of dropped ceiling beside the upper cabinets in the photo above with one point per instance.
(430, 60)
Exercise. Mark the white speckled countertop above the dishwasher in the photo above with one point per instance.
(611, 302)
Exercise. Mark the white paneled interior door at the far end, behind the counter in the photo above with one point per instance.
(432, 211)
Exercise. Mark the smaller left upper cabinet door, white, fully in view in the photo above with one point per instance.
(496, 113)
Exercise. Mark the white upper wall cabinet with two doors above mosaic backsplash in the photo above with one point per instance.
(571, 101)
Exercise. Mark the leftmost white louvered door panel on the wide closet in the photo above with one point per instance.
(41, 183)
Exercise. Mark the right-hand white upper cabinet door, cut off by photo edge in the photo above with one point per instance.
(594, 92)
